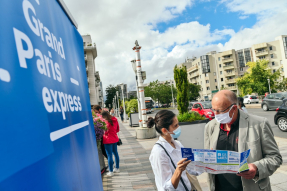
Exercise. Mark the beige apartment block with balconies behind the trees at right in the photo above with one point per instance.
(219, 70)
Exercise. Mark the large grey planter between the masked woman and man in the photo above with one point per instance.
(192, 134)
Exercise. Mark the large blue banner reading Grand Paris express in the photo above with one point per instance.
(47, 139)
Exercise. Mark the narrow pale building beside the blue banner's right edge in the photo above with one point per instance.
(93, 77)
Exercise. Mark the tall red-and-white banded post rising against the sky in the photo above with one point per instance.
(140, 83)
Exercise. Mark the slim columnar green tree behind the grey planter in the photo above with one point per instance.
(180, 77)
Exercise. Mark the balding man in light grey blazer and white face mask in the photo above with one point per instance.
(234, 130)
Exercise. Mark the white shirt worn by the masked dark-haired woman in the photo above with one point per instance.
(163, 168)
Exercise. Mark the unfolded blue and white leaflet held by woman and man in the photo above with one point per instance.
(216, 161)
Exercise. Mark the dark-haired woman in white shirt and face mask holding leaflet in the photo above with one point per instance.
(168, 178)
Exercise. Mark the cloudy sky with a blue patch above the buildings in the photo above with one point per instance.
(169, 31)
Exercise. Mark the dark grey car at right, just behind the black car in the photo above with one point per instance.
(273, 101)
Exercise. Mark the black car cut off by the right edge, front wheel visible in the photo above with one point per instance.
(280, 118)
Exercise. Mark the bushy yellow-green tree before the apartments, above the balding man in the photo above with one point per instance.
(255, 78)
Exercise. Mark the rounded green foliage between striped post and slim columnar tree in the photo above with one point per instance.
(160, 92)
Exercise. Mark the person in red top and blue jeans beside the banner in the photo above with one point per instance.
(110, 140)
